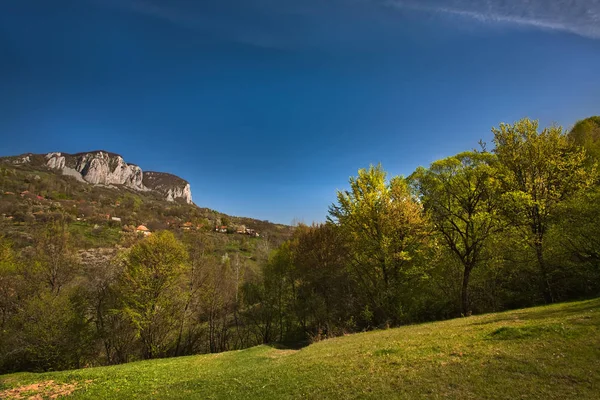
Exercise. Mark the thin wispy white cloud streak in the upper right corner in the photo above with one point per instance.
(581, 17)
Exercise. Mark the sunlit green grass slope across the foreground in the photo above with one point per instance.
(548, 352)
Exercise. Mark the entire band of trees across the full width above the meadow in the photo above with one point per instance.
(510, 224)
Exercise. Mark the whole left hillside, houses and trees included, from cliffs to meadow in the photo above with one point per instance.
(65, 250)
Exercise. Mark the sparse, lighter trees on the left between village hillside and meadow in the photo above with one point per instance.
(163, 296)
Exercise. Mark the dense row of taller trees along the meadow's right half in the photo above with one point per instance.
(481, 231)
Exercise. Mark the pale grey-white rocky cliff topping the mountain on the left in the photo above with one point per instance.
(104, 168)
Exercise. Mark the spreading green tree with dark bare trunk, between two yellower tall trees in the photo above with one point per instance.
(462, 197)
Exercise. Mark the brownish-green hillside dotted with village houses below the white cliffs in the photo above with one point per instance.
(101, 216)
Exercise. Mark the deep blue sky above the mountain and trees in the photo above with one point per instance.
(267, 107)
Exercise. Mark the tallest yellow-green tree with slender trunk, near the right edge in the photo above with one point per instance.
(538, 171)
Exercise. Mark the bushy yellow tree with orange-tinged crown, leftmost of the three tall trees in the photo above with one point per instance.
(385, 230)
